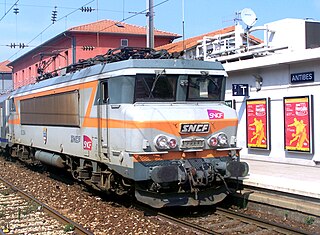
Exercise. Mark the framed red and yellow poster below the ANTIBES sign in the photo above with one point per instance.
(297, 123)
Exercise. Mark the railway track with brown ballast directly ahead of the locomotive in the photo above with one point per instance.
(224, 221)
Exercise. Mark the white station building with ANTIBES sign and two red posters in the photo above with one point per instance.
(274, 86)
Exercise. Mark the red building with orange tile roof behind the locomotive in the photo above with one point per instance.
(79, 43)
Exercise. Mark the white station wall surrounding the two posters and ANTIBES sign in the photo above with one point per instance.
(276, 85)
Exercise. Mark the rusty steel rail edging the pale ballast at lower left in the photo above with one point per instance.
(78, 229)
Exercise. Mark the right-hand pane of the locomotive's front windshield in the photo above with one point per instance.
(205, 87)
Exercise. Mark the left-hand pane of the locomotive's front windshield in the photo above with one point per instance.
(155, 87)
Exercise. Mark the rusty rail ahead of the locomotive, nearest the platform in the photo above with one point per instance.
(261, 222)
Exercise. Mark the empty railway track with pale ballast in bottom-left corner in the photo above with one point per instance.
(21, 213)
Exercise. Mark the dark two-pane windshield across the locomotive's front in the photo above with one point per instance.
(162, 87)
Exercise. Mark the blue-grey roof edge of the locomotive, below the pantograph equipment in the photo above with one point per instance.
(125, 64)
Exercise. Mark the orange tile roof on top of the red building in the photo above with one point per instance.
(110, 26)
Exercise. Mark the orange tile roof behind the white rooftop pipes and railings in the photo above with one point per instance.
(192, 42)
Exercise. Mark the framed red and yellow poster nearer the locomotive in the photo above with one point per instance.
(258, 123)
